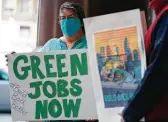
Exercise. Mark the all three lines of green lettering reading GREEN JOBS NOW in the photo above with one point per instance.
(60, 88)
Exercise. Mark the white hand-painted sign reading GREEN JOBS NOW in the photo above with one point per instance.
(51, 86)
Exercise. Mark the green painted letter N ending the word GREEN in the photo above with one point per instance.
(82, 65)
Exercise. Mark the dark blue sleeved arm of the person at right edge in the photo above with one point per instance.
(155, 80)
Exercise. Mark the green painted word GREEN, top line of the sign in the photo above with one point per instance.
(31, 64)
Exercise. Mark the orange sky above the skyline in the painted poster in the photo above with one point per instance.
(115, 38)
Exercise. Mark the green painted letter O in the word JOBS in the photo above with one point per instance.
(53, 87)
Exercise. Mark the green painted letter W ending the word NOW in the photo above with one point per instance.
(71, 107)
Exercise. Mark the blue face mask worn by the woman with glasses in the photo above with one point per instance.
(70, 26)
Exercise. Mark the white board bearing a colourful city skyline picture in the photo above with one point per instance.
(117, 58)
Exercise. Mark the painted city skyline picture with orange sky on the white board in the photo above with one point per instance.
(119, 64)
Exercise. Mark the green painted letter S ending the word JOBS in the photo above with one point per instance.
(76, 90)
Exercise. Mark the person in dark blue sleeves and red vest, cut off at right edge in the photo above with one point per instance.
(151, 98)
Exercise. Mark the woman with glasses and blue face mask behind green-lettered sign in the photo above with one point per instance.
(72, 26)
